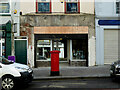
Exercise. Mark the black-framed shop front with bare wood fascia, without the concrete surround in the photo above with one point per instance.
(73, 47)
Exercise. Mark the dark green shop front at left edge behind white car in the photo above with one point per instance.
(5, 39)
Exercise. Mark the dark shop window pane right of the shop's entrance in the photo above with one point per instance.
(79, 49)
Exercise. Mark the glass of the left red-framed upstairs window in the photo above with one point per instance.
(43, 7)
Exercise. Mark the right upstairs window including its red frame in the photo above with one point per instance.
(72, 6)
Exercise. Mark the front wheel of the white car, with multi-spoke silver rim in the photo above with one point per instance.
(8, 83)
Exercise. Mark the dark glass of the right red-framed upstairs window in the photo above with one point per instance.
(71, 7)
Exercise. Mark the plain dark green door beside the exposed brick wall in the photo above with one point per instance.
(21, 51)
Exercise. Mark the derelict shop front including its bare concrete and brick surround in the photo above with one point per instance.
(73, 35)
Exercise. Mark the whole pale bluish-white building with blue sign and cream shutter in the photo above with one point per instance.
(107, 24)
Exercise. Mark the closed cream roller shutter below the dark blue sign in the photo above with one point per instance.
(110, 46)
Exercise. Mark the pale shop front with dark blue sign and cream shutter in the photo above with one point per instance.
(107, 41)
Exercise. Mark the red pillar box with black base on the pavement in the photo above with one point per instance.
(55, 63)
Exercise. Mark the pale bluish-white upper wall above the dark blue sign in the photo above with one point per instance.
(105, 8)
